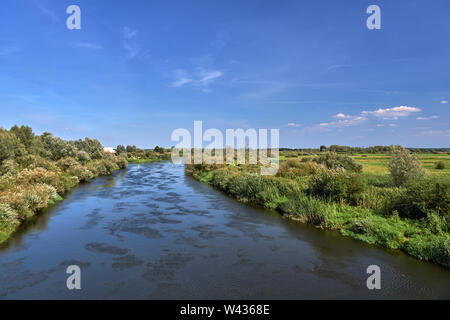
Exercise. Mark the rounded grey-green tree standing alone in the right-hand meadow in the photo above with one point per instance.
(404, 166)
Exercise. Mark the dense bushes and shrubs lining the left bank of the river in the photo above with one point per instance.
(37, 170)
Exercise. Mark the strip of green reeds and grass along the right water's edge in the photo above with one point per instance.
(415, 237)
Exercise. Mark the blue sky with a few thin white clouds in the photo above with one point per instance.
(137, 70)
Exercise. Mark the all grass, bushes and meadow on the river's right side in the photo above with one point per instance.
(388, 199)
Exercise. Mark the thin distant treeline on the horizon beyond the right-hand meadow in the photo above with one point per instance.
(374, 149)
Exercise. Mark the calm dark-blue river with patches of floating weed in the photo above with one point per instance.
(152, 233)
